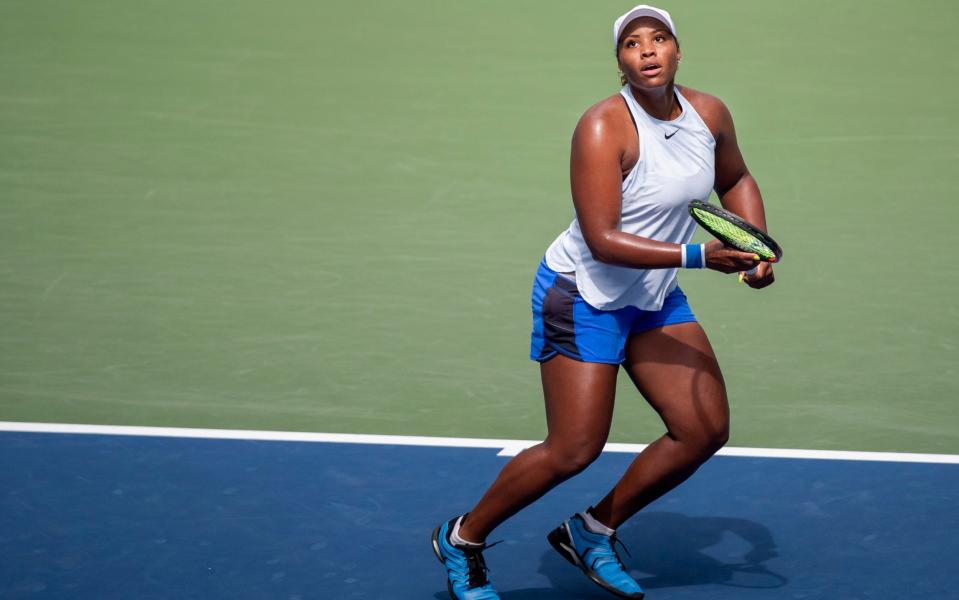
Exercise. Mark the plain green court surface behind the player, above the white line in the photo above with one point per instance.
(325, 216)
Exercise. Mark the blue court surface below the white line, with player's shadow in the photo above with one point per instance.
(117, 516)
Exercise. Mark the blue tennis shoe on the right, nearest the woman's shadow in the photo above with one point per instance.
(595, 554)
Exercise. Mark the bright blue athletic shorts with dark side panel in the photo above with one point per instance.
(564, 323)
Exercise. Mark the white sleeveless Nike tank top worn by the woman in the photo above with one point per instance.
(676, 164)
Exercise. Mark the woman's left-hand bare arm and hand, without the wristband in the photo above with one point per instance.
(604, 147)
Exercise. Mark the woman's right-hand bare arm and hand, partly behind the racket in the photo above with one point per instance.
(736, 188)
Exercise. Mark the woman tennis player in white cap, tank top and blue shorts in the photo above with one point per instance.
(606, 295)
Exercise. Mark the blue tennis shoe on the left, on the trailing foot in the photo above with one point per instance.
(465, 567)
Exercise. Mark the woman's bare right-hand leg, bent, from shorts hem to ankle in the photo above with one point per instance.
(675, 369)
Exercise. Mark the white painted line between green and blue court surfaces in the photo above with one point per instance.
(506, 447)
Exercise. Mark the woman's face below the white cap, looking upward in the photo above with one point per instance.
(648, 53)
